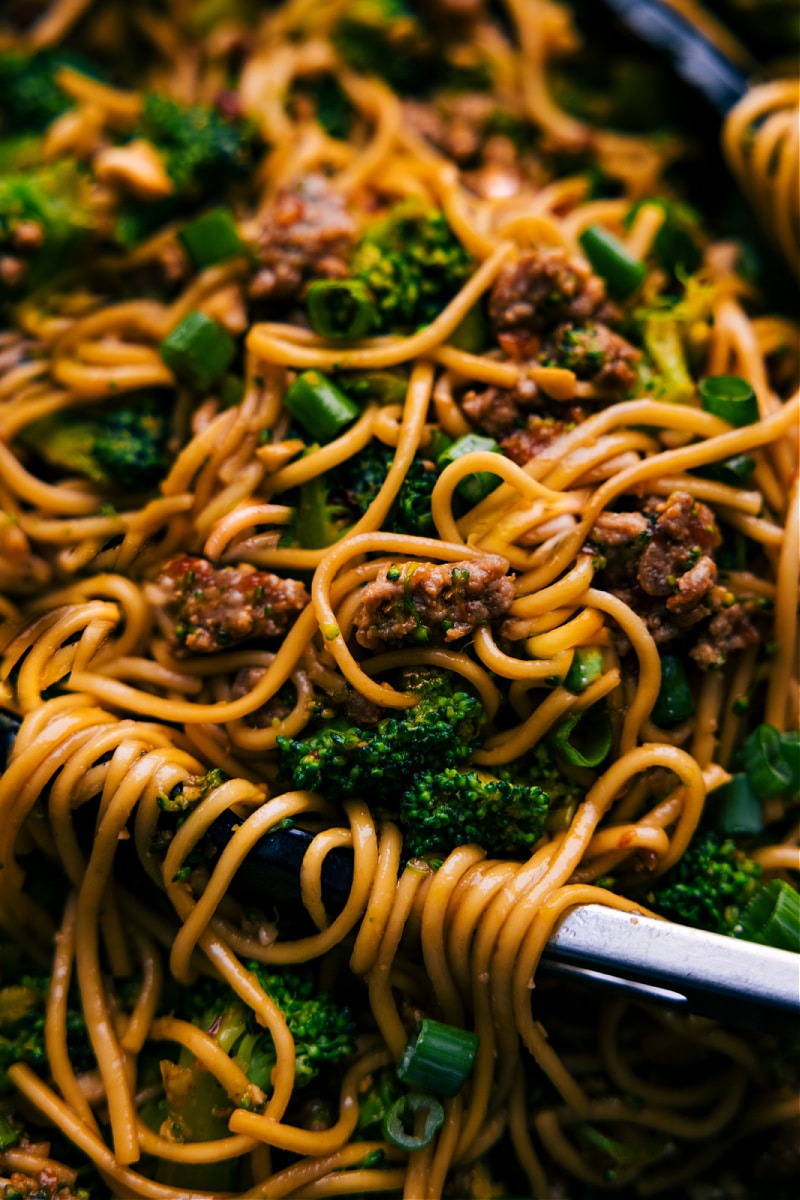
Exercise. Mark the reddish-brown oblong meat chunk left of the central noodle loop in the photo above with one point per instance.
(206, 609)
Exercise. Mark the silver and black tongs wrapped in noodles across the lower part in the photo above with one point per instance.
(731, 981)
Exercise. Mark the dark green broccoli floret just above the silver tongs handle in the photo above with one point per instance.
(711, 885)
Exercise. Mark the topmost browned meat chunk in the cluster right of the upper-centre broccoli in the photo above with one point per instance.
(542, 290)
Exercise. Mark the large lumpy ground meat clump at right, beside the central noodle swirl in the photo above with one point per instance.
(661, 562)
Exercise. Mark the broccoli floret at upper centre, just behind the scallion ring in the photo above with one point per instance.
(413, 266)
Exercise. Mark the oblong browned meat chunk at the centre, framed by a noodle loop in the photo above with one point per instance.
(432, 603)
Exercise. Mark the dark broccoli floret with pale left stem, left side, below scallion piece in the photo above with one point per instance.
(113, 447)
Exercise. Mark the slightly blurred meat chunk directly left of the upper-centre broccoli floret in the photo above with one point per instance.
(308, 235)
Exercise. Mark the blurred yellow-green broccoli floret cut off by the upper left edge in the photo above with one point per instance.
(45, 213)
